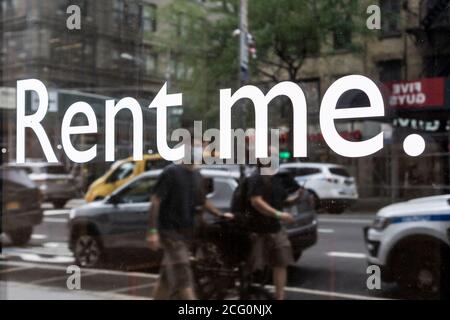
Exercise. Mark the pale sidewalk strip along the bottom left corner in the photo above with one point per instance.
(21, 291)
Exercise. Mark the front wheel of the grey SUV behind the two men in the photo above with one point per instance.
(88, 251)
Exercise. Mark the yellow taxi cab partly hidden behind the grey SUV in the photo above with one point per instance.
(121, 172)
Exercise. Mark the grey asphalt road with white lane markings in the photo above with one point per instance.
(335, 268)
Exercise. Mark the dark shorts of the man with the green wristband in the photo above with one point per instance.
(270, 249)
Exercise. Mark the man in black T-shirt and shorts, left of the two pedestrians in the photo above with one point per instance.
(177, 196)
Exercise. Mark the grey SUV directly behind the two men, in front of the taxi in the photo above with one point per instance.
(120, 221)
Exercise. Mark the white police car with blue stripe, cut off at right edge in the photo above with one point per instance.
(410, 242)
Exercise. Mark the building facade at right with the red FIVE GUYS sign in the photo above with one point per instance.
(413, 44)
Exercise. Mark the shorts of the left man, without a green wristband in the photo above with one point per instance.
(176, 273)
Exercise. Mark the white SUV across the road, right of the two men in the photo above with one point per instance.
(334, 188)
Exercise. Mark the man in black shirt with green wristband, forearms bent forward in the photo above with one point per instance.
(271, 247)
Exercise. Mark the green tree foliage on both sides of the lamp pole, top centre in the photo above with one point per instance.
(287, 32)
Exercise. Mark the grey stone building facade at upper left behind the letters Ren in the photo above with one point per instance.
(112, 55)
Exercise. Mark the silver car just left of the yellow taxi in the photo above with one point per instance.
(55, 183)
